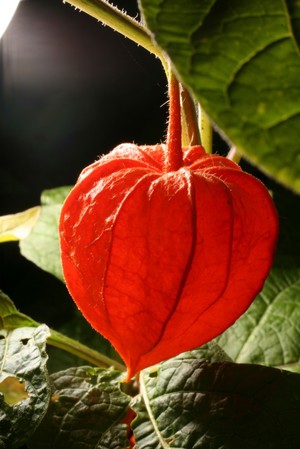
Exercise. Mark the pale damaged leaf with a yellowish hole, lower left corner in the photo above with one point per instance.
(24, 392)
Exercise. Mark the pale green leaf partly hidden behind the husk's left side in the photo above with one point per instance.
(42, 244)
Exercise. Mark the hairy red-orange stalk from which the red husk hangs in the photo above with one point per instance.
(174, 156)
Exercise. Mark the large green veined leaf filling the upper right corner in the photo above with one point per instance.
(241, 61)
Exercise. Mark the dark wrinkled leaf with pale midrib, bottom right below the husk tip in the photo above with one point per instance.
(189, 403)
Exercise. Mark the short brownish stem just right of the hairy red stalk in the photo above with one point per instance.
(190, 130)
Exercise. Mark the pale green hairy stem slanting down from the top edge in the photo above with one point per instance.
(121, 22)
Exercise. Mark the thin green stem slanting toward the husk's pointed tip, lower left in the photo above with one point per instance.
(61, 341)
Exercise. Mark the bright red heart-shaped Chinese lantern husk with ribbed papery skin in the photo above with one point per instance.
(162, 260)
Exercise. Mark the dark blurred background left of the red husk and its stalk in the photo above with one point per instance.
(70, 90)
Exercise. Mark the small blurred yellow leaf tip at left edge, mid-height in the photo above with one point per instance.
(18, 226)
